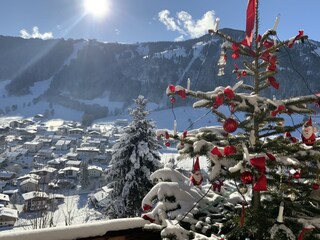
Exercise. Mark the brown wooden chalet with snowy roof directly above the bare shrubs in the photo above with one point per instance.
(34, 201)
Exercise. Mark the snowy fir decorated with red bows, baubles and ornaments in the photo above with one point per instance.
(263, 181)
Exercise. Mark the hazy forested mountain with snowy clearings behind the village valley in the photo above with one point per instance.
(75, 73)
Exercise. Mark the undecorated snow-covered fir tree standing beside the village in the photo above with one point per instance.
(134, 158)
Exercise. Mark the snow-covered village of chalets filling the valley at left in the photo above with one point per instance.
(42, 165)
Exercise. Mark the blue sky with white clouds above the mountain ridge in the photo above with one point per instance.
(151, 20)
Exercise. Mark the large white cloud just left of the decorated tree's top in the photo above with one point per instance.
(185, 25)
